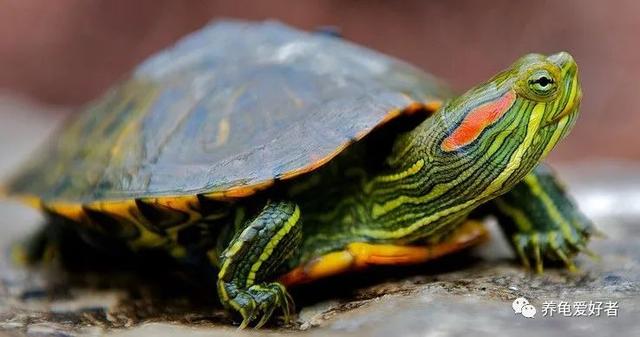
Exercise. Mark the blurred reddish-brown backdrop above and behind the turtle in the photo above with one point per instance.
(68, 51)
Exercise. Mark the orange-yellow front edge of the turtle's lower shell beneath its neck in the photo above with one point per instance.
(360, 255)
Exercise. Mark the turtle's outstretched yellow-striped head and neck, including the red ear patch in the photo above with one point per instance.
(476, 147)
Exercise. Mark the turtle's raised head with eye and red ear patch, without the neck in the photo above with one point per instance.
(509, 123)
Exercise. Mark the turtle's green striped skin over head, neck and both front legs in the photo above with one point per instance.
(416, 192)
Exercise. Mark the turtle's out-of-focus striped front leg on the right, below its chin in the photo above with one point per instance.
(542, 221)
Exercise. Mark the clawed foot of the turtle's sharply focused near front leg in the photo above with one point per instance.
(258, 302)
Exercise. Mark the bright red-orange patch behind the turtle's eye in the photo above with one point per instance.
(477, 120)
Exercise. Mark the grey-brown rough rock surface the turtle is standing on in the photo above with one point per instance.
(466, 294)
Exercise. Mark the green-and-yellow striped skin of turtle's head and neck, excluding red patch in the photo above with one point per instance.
(425, 190)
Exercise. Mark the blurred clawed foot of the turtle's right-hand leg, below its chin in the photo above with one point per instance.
(553, 245)
